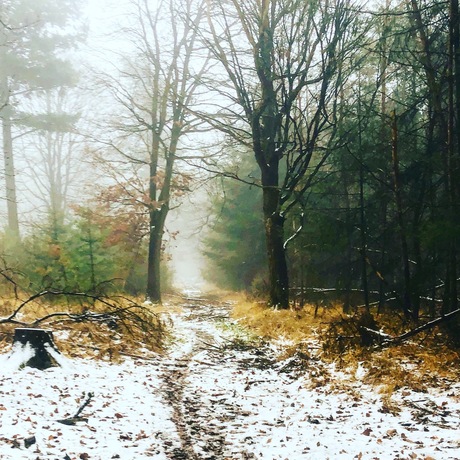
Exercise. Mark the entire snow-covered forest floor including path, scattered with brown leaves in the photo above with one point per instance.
(217, 394)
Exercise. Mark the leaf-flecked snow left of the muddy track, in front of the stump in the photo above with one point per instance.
(127, 418)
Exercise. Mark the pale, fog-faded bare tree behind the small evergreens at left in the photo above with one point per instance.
(53, 153)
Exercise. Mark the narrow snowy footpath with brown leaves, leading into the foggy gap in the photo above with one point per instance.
(199, 414)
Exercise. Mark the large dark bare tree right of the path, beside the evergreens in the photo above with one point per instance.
(282, 78)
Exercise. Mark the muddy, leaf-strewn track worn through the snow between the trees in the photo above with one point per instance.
(194, 414)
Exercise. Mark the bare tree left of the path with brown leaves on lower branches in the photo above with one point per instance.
(154, 89)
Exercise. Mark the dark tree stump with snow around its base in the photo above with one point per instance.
(41, 341)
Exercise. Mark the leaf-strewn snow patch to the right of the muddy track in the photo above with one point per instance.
(284, 419)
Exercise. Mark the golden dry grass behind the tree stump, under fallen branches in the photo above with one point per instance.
(126, 327)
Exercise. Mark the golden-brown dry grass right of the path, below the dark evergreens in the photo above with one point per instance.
(418, 364)
